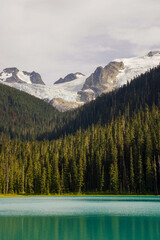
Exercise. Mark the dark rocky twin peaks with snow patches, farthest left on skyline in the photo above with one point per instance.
(13, 75)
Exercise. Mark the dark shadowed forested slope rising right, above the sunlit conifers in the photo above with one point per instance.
(126, 100)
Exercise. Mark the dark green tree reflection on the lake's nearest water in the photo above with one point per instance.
(80, 228)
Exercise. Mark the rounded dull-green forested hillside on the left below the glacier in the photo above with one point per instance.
(24, 116)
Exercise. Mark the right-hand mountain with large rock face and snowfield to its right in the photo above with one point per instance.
(116, 74)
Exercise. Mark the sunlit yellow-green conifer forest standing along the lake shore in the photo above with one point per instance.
(120, 157)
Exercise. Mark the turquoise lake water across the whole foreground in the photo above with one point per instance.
(80, 218)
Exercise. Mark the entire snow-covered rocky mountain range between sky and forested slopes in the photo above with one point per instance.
(77, 88)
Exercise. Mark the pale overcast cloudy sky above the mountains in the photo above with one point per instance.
(57, 37)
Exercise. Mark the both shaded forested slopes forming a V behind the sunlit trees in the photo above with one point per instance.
(25, 117)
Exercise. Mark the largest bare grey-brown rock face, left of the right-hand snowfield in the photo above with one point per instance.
(101, 81)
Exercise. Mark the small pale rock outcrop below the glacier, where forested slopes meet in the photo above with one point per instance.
(63, 105)
